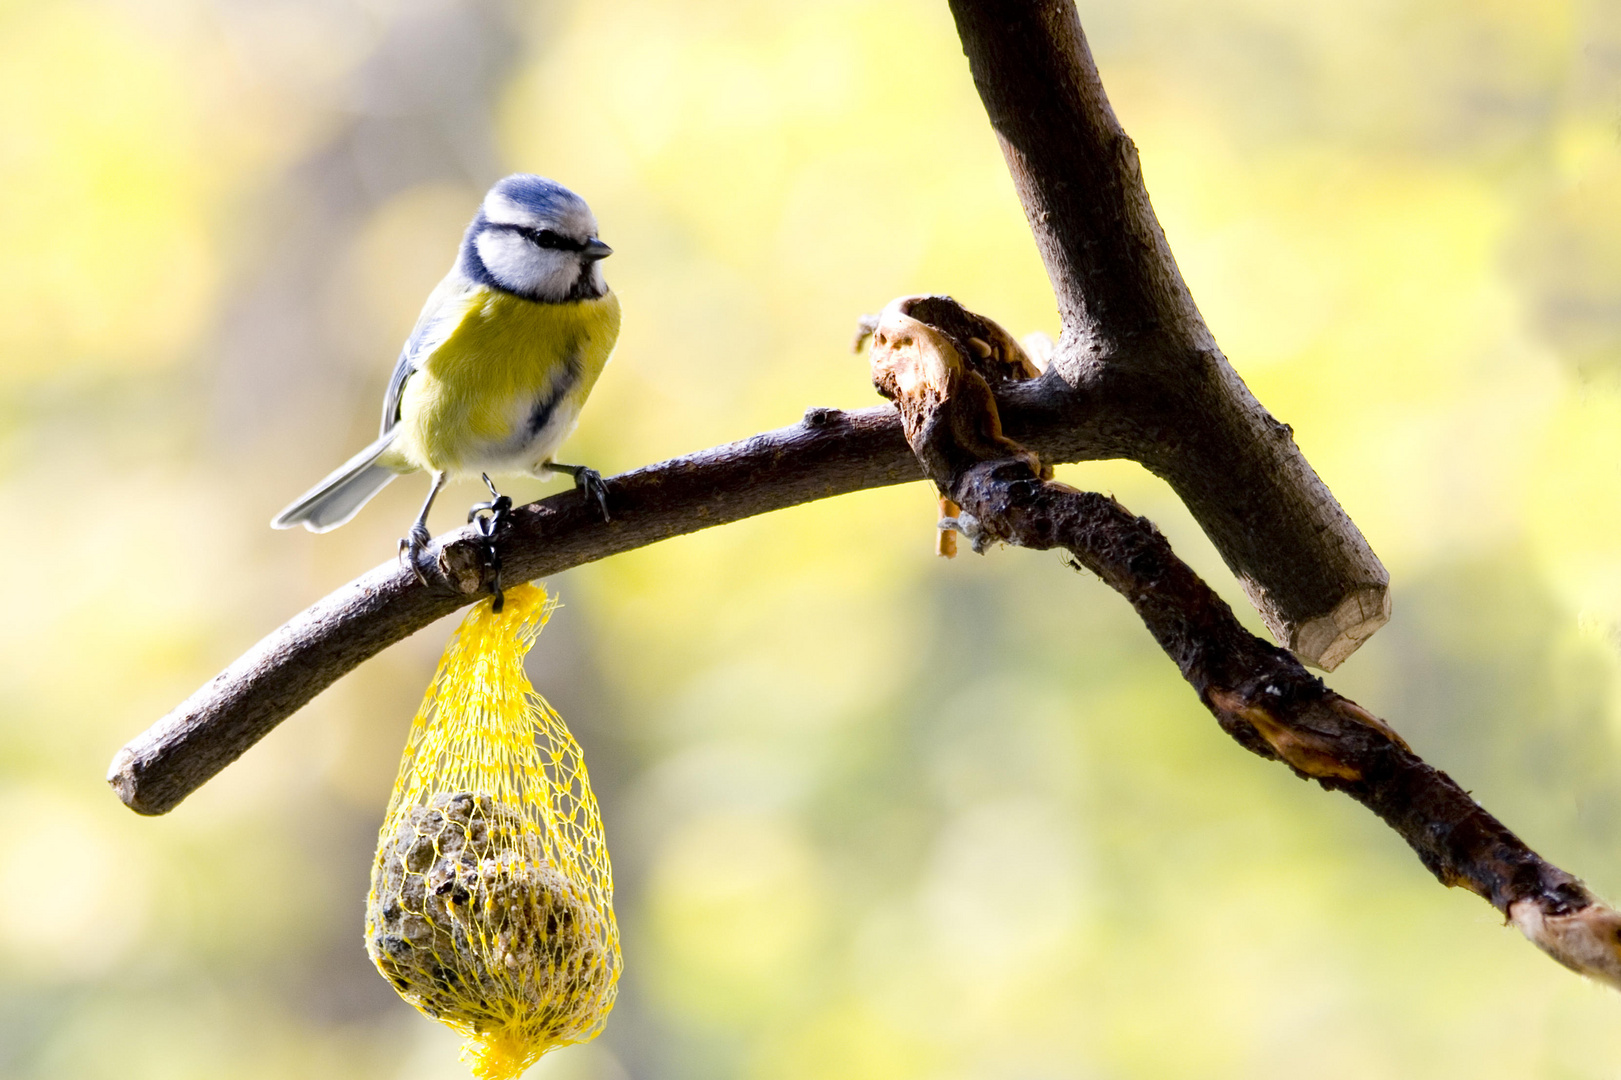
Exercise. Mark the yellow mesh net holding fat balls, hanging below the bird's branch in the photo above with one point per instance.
(492, 898)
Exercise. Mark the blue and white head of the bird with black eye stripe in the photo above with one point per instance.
(536, 239)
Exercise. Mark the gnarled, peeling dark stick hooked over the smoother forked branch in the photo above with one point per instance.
(1259, 693)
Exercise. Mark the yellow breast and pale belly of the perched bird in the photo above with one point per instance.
(468, 405)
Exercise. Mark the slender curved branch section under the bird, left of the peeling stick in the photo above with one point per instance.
(829, 453)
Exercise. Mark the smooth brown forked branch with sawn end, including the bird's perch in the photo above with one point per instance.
(1136, 375)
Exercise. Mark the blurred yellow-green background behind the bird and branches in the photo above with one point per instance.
(873, 815)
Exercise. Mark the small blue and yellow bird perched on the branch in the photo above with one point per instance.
(503, 356)
